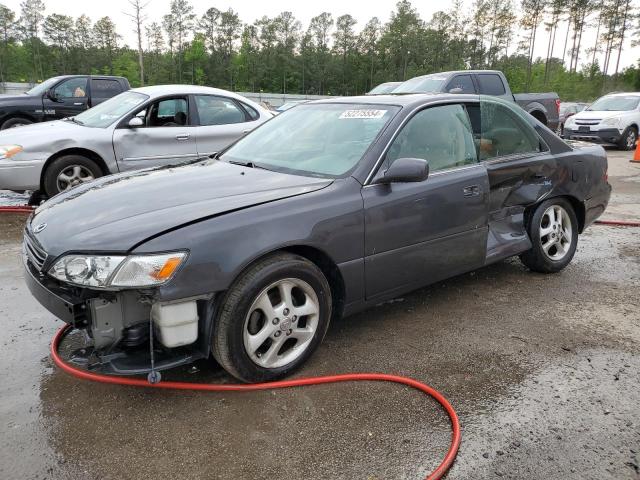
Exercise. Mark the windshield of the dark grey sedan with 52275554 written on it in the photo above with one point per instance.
(324, 140)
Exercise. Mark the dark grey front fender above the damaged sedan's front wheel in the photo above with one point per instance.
(330, 220)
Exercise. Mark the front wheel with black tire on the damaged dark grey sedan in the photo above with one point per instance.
(250, 345)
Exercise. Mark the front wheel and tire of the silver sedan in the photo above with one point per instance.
(76, 168)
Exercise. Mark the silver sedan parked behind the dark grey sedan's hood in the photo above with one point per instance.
(140, 128)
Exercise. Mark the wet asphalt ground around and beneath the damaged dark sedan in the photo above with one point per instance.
(544, 371)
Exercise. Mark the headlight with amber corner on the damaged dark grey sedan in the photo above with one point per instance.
(103, 271)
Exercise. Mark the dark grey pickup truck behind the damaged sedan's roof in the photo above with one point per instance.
(545, 107)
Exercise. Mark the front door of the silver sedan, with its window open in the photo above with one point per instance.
(166, 137)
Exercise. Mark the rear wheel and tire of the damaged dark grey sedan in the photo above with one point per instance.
(543, 230)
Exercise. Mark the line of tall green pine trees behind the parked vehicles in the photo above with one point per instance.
(333, 55)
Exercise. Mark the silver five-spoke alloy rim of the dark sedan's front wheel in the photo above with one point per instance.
(281, 323)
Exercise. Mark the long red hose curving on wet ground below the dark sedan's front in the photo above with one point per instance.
(351, 377)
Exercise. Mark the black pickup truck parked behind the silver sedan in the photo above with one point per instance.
(58, 97)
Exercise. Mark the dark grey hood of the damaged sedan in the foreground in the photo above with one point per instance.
(117, 212)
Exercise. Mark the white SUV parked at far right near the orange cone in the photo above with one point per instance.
(610, 120)
